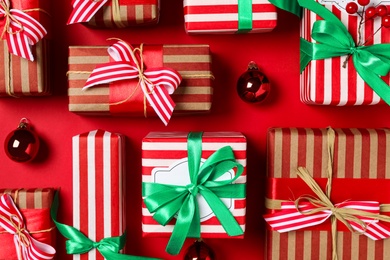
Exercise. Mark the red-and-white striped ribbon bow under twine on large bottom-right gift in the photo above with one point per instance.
(290, 219)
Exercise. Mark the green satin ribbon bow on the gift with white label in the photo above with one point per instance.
(166, 201)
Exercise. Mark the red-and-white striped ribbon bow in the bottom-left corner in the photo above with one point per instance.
(26, 246)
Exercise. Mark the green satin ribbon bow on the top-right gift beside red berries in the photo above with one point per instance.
(334, 40)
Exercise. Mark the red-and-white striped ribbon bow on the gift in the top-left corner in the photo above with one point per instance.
(20, 30)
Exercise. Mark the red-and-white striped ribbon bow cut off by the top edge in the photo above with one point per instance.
(84, 10)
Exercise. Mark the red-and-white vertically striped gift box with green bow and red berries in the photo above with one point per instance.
(341, 80)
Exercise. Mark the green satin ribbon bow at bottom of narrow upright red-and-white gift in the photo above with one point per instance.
(78, 243)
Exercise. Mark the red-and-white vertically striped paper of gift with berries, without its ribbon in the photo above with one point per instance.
(326, 82)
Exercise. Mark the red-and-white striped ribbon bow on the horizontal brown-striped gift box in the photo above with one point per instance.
(156, 83)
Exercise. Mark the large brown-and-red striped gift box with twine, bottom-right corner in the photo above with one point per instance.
(350, 167)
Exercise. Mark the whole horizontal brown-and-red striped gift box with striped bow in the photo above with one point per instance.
(128, 95)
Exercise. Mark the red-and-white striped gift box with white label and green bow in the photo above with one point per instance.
(206, 170)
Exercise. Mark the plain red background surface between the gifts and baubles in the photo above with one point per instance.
(277, 54)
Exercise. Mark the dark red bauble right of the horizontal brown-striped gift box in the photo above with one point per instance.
(253, 86)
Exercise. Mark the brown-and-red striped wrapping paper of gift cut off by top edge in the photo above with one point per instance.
(132, 13)
